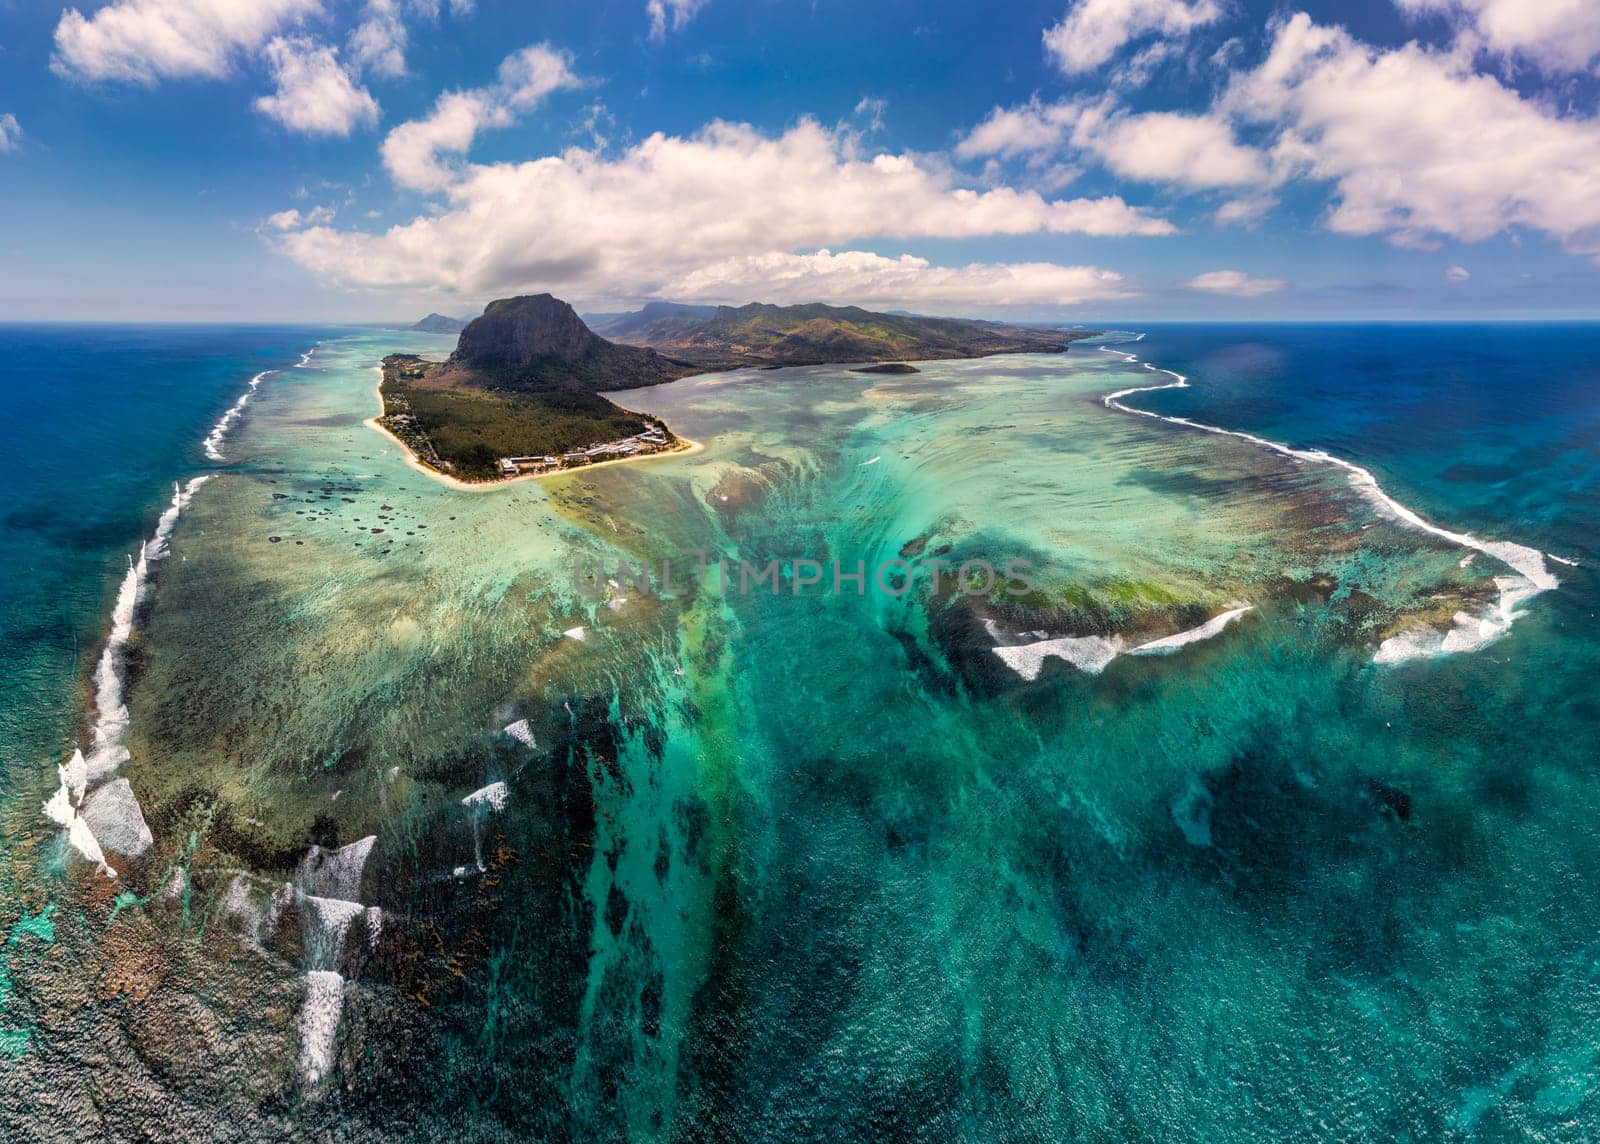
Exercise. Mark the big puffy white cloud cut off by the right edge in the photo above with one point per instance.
(1417, 145)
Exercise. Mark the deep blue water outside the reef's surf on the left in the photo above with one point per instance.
(97, 423)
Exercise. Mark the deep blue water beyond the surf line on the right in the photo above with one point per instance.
(1482, 426)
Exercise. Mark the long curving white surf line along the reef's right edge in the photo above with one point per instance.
(1470, 633)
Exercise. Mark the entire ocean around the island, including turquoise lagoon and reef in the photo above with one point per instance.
(1263, 810)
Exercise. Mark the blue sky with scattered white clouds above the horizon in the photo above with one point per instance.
(1081, 159)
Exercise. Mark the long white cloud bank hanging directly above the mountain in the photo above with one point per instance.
(690, 214)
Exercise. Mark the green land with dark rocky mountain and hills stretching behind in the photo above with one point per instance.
(527, 377)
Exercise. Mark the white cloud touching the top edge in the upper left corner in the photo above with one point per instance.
(148, 41)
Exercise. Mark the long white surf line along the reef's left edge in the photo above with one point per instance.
(76, 806)
